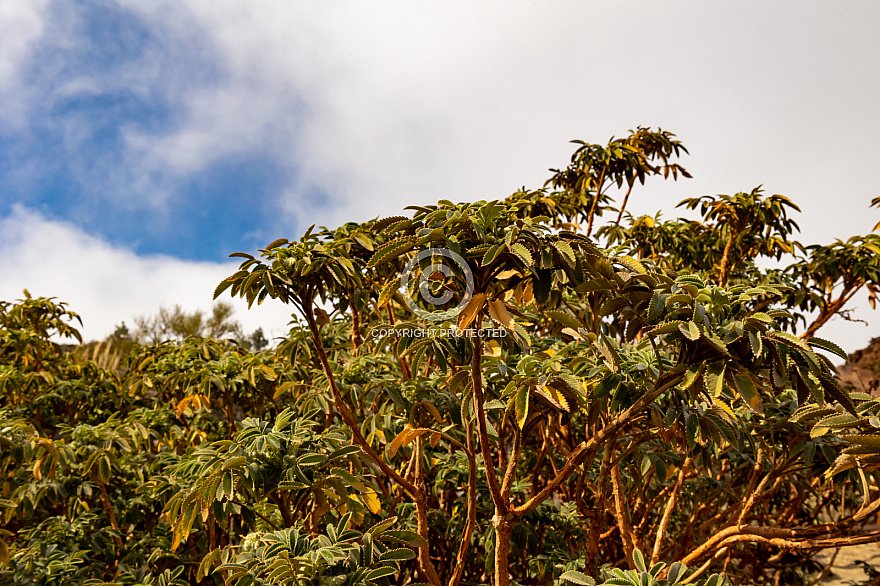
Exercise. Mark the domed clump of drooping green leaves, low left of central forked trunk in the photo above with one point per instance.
(283, 473)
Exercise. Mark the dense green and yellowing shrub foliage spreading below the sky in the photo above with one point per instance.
(646, 406)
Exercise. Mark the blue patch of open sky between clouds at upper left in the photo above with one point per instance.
(75, 147)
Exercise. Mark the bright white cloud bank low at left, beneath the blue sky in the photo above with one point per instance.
(107, 285)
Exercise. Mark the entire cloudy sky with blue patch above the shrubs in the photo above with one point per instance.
(141, 142)
